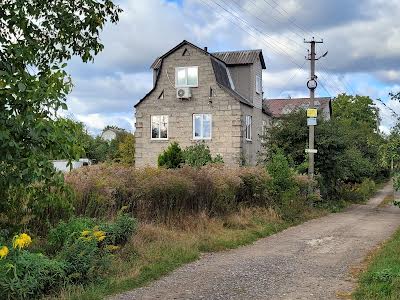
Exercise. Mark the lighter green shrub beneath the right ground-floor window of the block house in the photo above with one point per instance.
(199, 155)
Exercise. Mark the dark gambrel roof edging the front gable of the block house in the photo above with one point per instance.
(220, 70)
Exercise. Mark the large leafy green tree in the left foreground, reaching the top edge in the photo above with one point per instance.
(37, 37)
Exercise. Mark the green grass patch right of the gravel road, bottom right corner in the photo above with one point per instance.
(381, 280)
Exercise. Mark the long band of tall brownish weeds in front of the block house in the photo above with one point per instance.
(167, 194)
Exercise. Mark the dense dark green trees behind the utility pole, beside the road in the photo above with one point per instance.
(348, 145)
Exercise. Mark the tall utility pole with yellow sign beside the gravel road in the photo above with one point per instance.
(312, 85)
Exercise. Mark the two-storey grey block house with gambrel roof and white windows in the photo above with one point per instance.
(202, 96)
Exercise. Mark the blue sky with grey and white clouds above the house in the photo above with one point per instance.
(362, 38)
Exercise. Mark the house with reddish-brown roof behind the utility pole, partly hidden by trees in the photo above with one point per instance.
(279, 107)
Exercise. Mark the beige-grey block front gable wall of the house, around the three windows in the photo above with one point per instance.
(225, 111)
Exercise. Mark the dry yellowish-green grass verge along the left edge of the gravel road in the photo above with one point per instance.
(158, 249)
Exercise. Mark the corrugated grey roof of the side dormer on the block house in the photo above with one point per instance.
(242, 57)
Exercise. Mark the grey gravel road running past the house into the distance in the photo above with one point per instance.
(309, 261)
